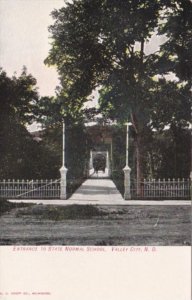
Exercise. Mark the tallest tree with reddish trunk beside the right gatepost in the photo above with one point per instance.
(102, 43)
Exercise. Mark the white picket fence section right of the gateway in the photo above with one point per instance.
(162, 189)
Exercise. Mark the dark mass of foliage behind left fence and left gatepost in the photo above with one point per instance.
(22, 157)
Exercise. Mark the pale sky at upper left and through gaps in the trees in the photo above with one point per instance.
(25, 40)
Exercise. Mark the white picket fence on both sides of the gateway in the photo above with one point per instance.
(50, 189)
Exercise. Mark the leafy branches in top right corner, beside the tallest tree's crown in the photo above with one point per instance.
(176, 55)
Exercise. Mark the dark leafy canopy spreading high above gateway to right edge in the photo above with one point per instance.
(102, 43)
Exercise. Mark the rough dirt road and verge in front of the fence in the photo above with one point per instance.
(112, 225)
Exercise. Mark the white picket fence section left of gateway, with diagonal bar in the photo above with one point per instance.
(30, 189)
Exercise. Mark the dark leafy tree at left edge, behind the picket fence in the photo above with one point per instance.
(18, 98)
